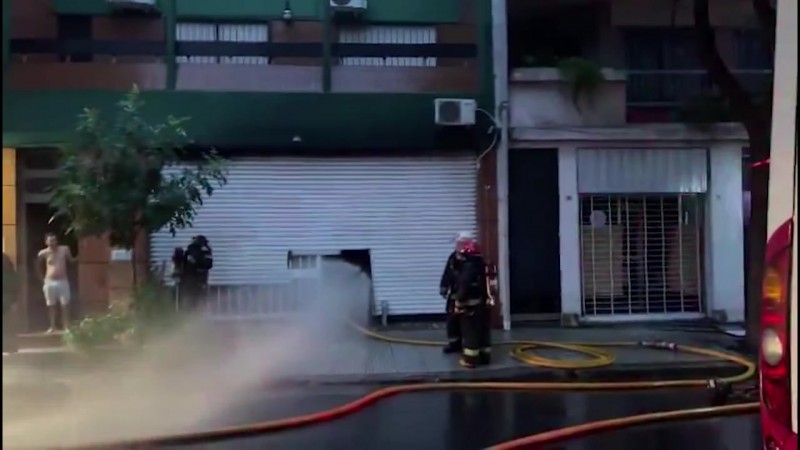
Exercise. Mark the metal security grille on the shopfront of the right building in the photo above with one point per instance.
(641, 254)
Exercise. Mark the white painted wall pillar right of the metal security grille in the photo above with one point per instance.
(724, 271)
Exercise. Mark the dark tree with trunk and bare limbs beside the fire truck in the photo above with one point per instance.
(755, 114)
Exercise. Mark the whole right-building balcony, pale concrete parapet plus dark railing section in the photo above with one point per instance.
(541, 98)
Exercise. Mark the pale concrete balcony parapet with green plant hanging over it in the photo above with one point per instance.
(541, 98)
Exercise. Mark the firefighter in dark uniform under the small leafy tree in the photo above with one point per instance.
(193, 267)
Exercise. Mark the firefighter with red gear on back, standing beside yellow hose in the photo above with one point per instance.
(473, 302)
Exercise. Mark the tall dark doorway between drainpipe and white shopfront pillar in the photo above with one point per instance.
(534, 252)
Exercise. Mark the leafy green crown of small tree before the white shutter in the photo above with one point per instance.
(112, 178)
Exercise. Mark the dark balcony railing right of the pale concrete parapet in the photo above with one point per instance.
(659, 95)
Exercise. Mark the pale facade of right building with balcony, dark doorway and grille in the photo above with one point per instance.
(635, 189)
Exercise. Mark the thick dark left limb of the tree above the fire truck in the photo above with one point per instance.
(743, 106)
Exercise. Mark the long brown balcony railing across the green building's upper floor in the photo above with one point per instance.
(116, 64)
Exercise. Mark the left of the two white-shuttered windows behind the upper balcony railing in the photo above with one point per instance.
(234, 32)
